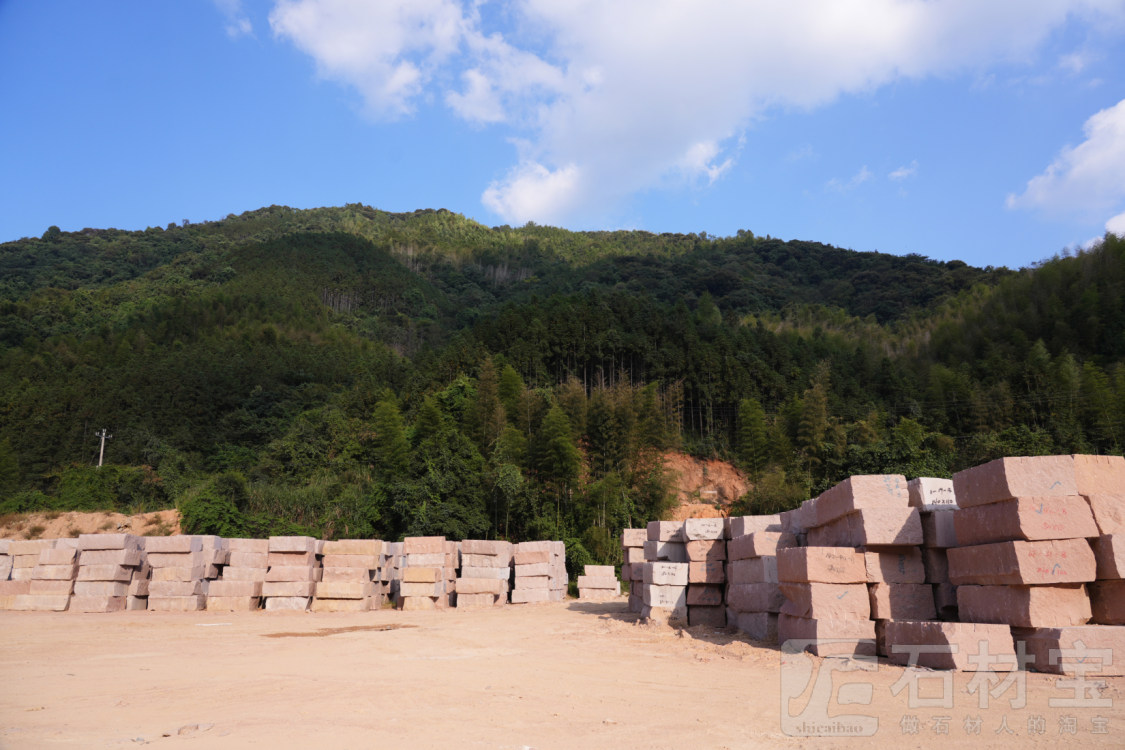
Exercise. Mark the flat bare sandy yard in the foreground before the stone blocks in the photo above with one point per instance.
(569, 675)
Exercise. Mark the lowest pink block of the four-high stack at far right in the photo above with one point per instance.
(1027, 607)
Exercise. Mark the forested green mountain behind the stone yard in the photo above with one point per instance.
(347, 372)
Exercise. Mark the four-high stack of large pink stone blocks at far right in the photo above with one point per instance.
(1024, 558)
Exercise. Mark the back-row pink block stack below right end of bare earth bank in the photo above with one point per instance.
(183, 568)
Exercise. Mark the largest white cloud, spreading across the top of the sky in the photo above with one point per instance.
(618, 96)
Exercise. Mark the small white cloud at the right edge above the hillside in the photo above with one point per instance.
(1084, 180)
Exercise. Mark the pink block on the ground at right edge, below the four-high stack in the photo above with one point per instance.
(1083, 649)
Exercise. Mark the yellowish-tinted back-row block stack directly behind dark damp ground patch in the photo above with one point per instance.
(350, 576)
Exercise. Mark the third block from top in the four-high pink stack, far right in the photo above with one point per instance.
(1063, 562)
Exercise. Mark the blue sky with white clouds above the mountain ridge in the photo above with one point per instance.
(991, 132)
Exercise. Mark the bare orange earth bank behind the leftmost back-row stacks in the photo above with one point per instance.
(61, 526)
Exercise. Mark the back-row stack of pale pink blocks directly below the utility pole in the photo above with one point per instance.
(107, 566)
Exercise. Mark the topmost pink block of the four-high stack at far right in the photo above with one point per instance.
(1004, 480)
